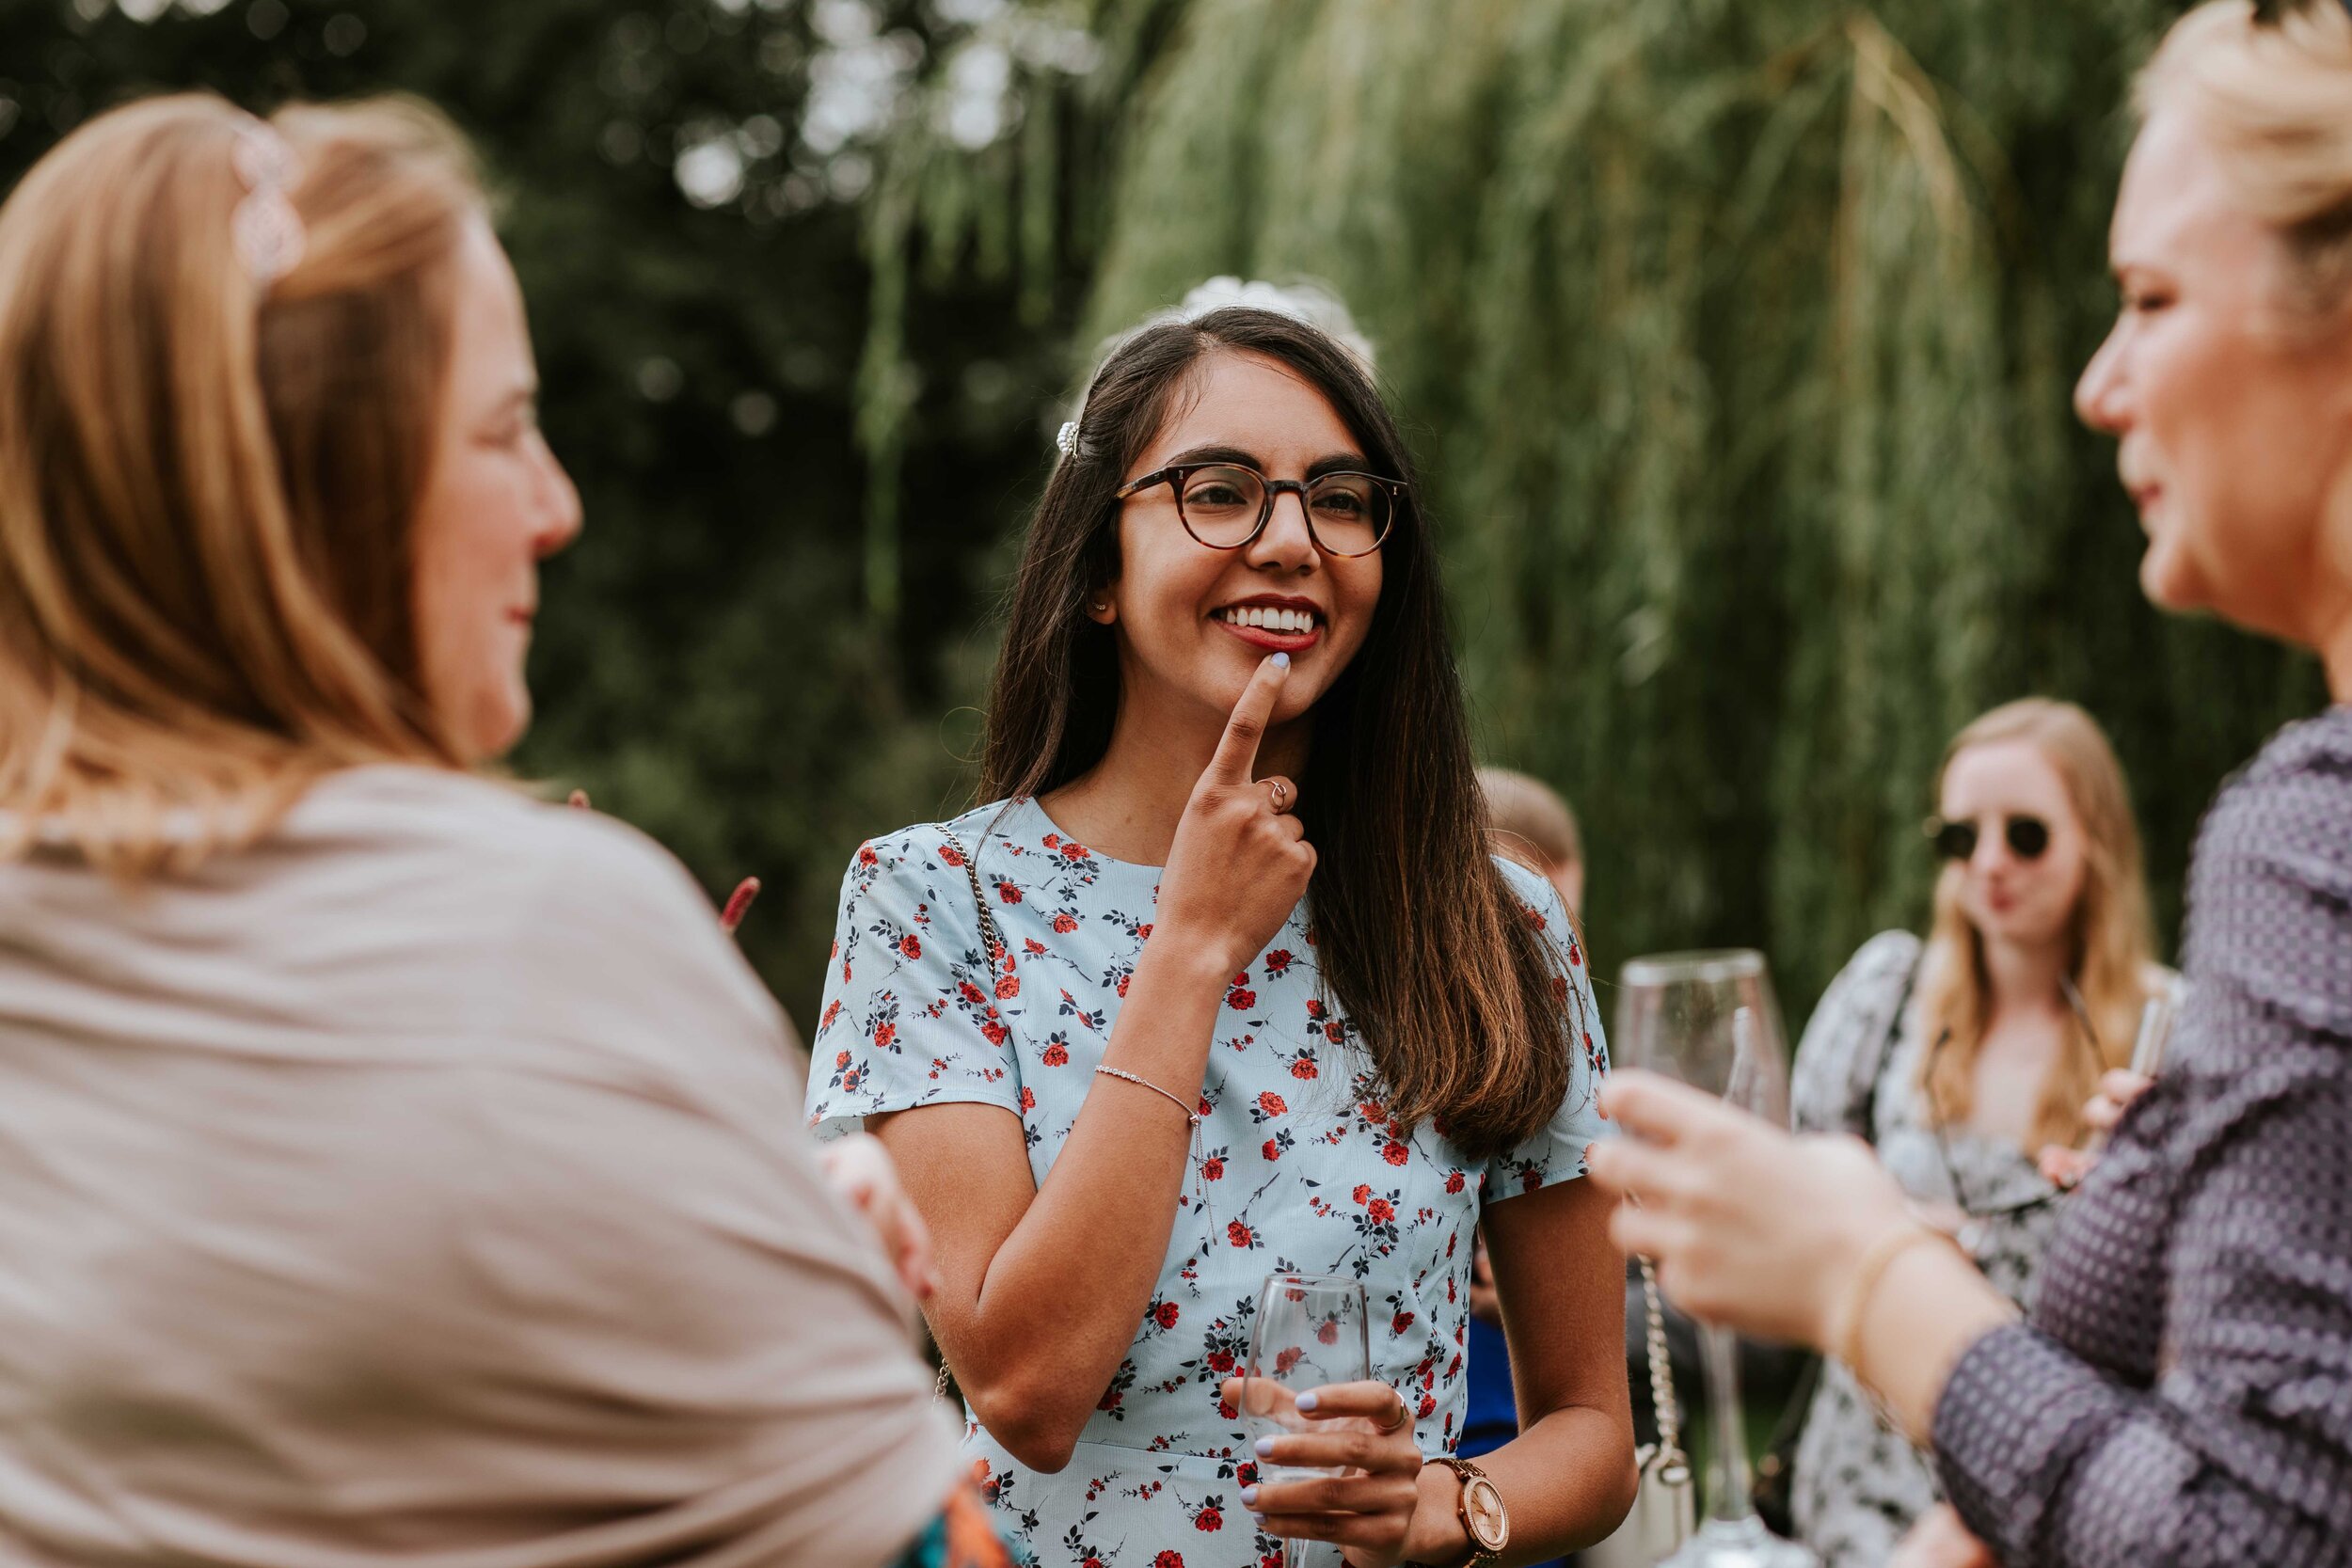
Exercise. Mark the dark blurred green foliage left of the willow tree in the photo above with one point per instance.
(704, 666)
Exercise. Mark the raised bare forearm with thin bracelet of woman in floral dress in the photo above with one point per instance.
(1097, 1233)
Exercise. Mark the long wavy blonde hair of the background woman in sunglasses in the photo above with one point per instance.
(2113, 942)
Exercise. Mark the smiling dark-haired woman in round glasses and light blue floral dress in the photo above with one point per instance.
(1229, 984)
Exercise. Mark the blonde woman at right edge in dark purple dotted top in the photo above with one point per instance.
(2181, 1391)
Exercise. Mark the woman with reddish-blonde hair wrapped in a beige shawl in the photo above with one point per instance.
(392, 1170)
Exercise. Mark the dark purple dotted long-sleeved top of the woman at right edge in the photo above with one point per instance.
(2184, 1388)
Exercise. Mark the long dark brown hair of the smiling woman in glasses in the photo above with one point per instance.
(1417, 934)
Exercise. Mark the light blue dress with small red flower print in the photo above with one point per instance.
(1299, 1165)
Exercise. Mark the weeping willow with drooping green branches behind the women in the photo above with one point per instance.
(1737, 340)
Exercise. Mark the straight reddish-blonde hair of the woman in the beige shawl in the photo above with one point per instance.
(208, 481)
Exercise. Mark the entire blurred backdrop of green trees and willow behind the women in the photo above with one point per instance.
(1737, 340)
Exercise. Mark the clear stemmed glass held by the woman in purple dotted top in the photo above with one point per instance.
(1709, 1019)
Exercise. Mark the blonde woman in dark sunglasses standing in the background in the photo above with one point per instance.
(1963, 1057)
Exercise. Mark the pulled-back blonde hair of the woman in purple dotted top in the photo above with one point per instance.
(2276, 102)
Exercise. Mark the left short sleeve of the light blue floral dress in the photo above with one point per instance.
(911, 1000)
